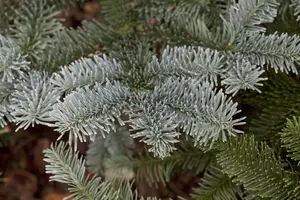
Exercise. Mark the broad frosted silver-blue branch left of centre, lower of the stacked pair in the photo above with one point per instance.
(86, 110)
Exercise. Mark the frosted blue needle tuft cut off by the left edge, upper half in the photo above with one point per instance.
(12, 63)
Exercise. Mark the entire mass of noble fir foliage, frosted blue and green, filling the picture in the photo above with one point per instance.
(209, 87)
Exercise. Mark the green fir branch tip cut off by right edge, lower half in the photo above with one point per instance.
(290, 137)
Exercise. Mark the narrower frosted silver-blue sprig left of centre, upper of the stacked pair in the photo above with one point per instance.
(85, 72)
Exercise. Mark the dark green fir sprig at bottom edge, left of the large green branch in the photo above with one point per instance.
(216, 186)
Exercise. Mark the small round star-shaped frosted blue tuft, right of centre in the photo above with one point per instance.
(242, 75)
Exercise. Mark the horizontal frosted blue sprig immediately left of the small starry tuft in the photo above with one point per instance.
(202, 63)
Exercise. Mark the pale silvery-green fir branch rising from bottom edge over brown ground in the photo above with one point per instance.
(65, 167)
